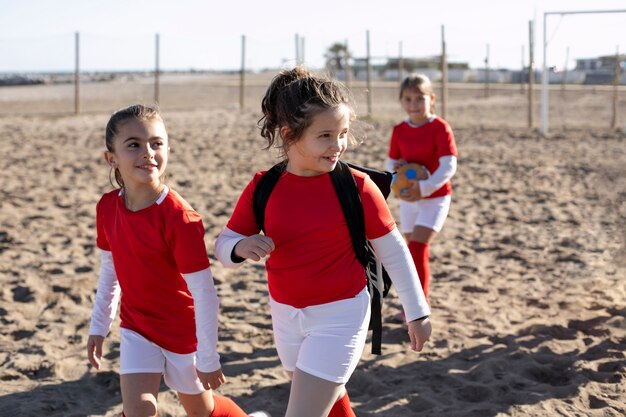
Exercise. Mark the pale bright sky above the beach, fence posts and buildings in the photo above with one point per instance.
(39, 35)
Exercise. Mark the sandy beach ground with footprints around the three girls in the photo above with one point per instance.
(528, 291)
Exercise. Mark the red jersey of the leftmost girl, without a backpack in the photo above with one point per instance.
(151, 250)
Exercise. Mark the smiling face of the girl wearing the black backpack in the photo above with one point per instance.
(321, 145)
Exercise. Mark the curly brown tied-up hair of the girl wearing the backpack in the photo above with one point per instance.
(293, 98)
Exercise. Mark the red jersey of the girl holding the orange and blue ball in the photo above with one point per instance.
(424, 145)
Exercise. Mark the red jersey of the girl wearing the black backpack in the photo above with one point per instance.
(313, 261)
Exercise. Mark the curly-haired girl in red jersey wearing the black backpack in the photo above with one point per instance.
(318, 298)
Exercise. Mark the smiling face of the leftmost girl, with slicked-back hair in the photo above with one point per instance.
(140, 152)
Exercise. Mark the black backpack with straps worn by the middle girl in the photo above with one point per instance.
(378, 281)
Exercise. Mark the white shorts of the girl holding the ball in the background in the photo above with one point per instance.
(429, 212)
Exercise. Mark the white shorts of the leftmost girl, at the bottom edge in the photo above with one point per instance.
(139, 355)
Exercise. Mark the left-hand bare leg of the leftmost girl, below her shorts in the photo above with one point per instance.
(139, 394)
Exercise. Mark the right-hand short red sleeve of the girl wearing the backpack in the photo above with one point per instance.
(378, 218)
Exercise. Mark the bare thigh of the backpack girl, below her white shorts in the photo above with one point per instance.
(311, 396)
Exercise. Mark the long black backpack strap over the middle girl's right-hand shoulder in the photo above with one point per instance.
(352, 206)
